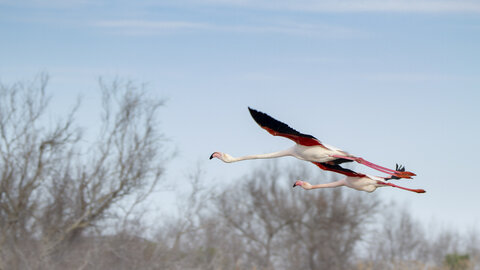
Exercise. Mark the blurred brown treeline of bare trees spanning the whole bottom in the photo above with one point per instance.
(68, 205)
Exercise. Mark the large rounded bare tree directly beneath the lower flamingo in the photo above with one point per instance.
(283, 228)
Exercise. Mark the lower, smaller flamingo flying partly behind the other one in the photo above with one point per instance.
(362, 182)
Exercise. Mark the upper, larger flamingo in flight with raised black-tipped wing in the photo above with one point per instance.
(308, 148)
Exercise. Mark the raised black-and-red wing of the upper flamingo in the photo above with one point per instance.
(277, 128)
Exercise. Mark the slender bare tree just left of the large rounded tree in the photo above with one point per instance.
(182, 238)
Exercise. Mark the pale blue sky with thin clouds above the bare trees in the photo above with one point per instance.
(391, 81)
